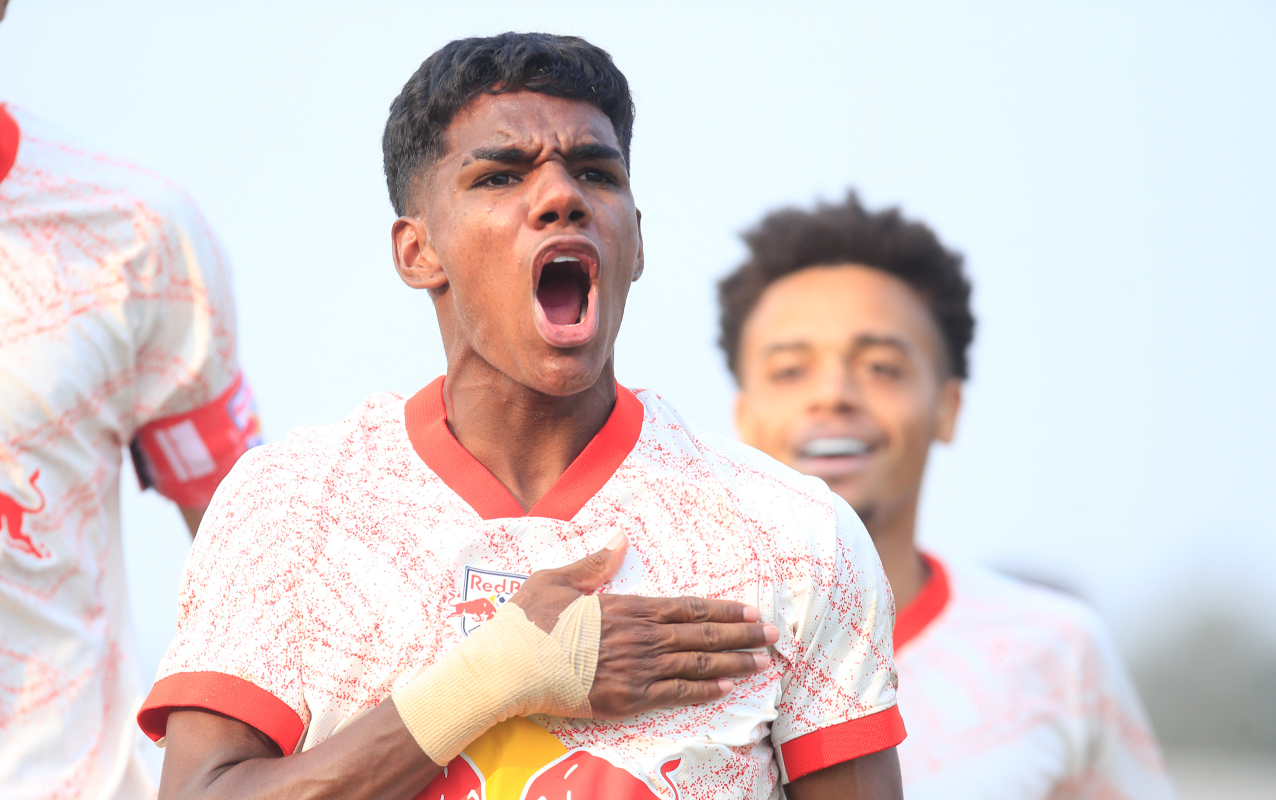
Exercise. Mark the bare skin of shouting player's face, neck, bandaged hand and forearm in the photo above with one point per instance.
(525, 409)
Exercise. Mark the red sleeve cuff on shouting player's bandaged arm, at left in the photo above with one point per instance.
(226, 695)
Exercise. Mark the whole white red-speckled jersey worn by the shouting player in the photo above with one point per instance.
(334, 567)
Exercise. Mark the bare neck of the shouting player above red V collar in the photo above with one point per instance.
(524, 438)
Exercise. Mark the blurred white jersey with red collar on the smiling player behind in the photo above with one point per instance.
(1015, 692)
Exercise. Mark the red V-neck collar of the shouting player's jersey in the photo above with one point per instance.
(427, 422)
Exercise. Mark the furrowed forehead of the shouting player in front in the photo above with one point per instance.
(529, 122)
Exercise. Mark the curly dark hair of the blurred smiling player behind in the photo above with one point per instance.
(794, 239)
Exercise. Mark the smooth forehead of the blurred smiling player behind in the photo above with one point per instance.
(834, 307)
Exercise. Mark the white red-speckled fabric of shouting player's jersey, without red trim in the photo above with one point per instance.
(330, 565)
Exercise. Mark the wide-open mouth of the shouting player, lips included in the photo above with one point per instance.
(567, 297)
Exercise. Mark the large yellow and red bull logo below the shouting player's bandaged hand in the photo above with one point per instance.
(521, 761)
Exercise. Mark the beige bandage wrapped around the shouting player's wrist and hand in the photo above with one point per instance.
(508, 668)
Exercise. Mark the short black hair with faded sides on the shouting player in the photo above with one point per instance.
(558, 66)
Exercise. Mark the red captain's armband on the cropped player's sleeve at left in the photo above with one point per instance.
(188, 455)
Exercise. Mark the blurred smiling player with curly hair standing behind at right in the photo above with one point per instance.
(848, 334)
